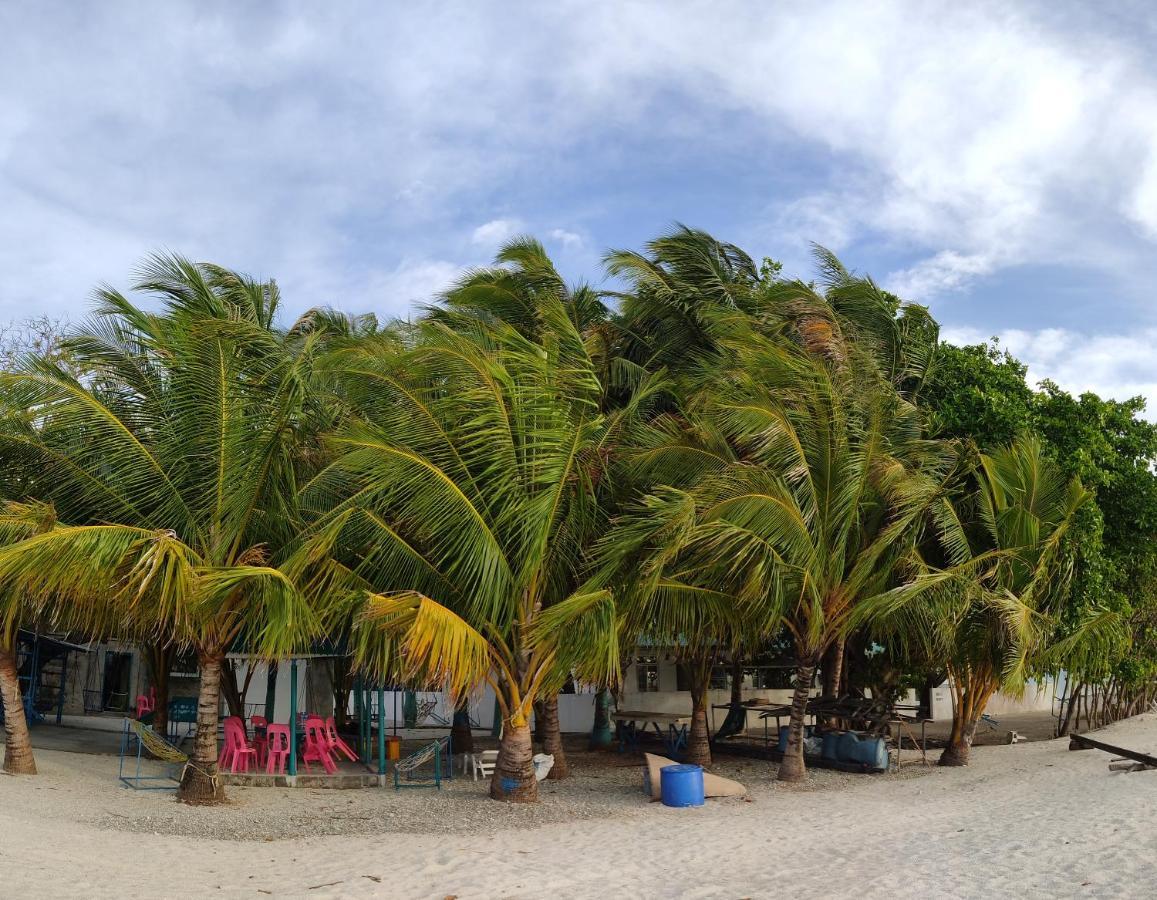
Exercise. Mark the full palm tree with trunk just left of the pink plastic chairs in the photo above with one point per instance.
(174, 471)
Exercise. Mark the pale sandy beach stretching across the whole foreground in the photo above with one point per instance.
(1031, 821)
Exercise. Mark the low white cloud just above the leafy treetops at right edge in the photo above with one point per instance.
(1115, 366)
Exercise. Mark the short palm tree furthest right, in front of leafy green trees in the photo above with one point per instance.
(993, 615)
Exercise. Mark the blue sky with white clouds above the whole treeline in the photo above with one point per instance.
(994, 161)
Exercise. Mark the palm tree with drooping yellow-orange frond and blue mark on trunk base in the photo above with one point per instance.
(458, 515)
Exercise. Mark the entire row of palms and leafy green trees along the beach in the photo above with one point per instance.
(533, 479)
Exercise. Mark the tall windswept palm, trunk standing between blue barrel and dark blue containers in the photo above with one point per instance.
(815, 467)
